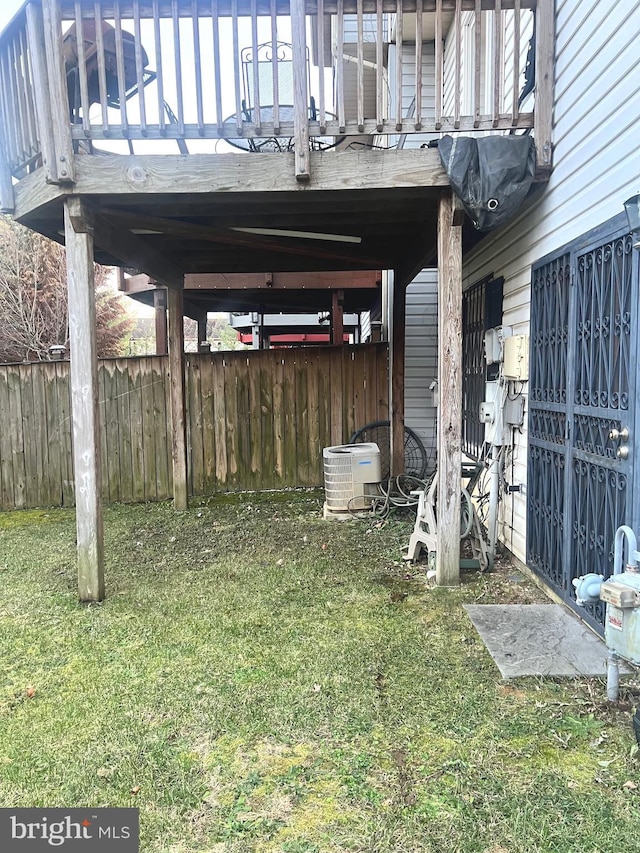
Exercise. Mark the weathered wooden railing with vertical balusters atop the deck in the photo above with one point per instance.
(183, 72)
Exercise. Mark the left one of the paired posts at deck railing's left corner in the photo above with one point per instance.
(35, 37)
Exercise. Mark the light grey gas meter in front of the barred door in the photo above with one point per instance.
(622, 622)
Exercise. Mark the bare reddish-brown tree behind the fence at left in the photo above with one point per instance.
(33, 299)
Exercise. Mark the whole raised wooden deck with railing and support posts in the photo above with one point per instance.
(175, 136)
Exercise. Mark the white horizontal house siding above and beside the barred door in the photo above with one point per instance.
(596, 167)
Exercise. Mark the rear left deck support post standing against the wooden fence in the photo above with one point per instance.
(177, 394)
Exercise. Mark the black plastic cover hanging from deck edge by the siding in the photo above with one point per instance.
(490, 174)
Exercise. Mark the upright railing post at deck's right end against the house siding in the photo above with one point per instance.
(545, 73)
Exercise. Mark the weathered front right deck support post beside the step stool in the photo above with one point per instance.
(450, 394)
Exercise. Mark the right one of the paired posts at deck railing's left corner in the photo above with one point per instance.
(58, 91)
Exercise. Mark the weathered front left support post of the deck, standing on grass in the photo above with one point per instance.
(84, 400)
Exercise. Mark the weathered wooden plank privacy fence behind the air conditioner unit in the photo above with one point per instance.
(255, 420)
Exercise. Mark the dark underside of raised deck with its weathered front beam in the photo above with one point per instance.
(174, 216)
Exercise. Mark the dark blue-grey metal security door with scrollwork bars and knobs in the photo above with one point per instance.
(583, 376)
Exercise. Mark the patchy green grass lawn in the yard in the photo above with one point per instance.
(261, 680)
